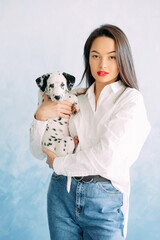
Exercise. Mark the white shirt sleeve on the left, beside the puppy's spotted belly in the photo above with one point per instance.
(37, 130)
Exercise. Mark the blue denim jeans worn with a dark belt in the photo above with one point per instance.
(88, 211)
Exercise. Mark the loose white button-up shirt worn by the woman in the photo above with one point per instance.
(110, 137)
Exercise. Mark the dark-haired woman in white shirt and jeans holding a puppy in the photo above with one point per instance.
(111, 127)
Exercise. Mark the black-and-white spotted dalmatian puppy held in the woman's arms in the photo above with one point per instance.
(57, 86)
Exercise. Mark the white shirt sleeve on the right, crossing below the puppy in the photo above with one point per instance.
(118, 147)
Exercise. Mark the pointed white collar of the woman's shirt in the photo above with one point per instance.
(114, 87)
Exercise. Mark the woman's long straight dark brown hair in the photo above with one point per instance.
(123, 55)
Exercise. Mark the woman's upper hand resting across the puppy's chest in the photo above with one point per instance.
(50, 109)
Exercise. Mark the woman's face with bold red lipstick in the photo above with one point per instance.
(102, 60)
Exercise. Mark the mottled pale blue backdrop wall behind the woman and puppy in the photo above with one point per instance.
(42, 36)
